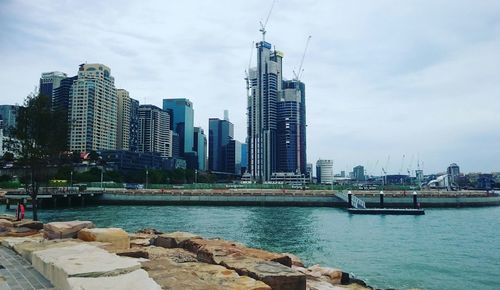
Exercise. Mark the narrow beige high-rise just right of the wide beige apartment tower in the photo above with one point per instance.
(123, 120)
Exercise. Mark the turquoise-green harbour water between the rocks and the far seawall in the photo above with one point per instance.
(445, 249)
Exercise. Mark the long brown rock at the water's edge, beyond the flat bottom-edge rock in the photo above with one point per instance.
(209, 250)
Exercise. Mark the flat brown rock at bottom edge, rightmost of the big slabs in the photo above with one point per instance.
(274, 274)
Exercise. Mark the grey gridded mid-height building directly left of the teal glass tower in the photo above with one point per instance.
(154, 130)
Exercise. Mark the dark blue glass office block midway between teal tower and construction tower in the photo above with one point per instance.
(220, 133)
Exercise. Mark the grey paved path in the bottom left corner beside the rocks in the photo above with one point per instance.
(17, 274)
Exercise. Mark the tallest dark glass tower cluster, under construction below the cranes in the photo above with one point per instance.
(276, 118)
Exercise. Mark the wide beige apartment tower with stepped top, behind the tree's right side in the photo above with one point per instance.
(93, 109)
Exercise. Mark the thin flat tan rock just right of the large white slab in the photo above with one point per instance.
(176, 255)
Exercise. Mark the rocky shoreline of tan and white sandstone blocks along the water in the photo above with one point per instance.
(77, 255)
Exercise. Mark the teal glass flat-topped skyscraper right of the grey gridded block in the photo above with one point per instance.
(182, 116)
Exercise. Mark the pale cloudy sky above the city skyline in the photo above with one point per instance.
(389, 83)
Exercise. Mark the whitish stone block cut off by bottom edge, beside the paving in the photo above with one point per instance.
(137, 279)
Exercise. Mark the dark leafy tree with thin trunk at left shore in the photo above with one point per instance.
(42, 134)
